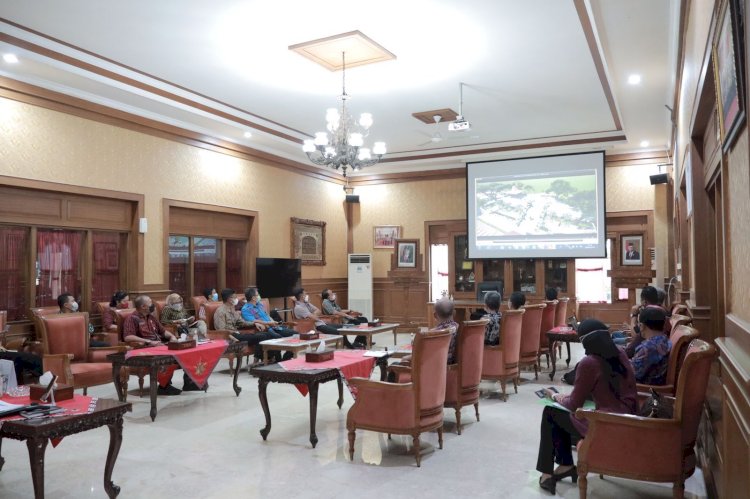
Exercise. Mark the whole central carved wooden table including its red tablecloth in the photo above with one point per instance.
(307, 376)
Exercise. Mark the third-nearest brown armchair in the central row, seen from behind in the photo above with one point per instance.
(500, 362)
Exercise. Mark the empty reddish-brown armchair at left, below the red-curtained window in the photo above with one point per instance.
(65, 338)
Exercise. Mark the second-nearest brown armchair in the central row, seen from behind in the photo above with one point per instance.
(462, 385)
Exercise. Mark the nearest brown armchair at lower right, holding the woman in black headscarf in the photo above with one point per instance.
(655, 450)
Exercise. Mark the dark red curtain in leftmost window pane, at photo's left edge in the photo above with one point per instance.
(13, 284)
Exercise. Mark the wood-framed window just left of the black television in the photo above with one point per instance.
(195, 264)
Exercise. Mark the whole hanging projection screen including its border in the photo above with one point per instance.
(543, 207)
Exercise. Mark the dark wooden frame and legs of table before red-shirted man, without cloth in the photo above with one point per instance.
(153, 363)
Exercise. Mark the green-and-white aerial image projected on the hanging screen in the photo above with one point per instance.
(563, 205)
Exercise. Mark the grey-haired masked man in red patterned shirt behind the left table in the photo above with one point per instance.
(141, 326)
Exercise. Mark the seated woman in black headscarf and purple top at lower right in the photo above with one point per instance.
(606, 375)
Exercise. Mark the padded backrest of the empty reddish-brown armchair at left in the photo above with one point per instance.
(66, 334)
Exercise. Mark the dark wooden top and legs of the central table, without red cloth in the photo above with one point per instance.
(310, 377)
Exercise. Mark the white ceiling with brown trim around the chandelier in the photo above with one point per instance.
(529, 71)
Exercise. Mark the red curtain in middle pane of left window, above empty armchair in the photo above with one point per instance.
(58, 265)
